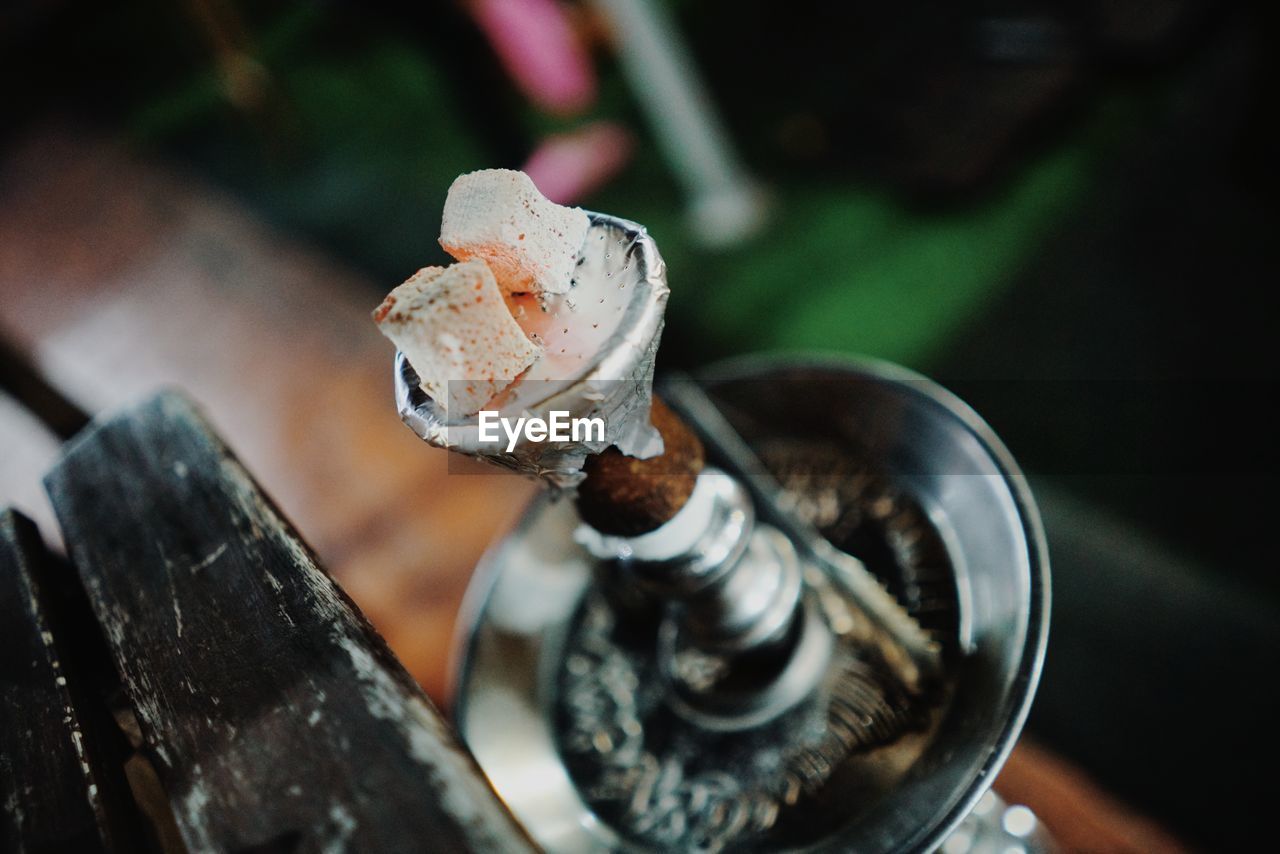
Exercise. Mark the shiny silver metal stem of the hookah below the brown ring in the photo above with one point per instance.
(730, 592)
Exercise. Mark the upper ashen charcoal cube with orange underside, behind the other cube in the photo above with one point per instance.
(532, 244)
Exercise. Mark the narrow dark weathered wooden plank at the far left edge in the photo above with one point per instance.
(62, 784)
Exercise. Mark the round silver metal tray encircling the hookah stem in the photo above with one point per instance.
(577, 728)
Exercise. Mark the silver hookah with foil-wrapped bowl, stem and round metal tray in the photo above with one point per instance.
(811, 618)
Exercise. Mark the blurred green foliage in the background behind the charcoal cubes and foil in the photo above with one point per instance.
(360, 130)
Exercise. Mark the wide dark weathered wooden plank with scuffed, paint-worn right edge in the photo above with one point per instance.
(275, 715)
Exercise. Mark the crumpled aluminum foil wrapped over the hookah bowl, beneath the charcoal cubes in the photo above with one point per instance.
(598, 342)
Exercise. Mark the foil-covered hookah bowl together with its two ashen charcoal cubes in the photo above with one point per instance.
(563, 321)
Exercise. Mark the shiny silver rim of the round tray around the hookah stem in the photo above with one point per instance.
(533, 586)
